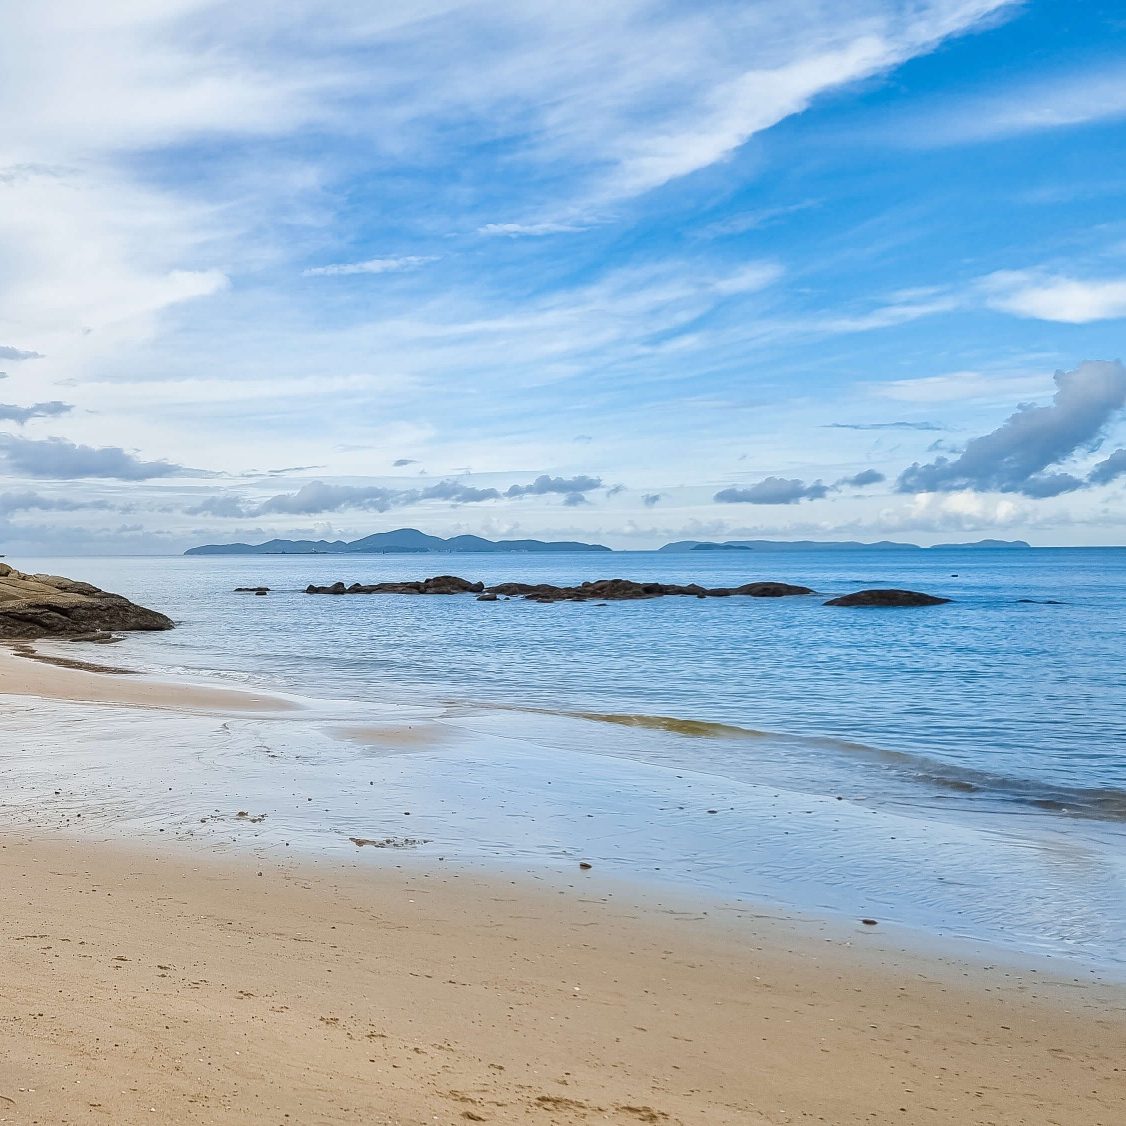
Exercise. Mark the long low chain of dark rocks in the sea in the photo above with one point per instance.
(602, 591)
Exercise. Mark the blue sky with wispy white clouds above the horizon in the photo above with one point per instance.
(629, 273)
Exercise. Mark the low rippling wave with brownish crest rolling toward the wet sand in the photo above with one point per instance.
(1093, 802)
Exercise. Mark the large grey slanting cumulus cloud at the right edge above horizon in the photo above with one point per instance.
(1014, 458)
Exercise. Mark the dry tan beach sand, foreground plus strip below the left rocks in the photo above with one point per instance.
(145, 986)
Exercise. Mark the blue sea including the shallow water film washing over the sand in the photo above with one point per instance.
(958, 771)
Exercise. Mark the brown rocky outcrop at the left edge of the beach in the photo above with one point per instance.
(49, 606)
